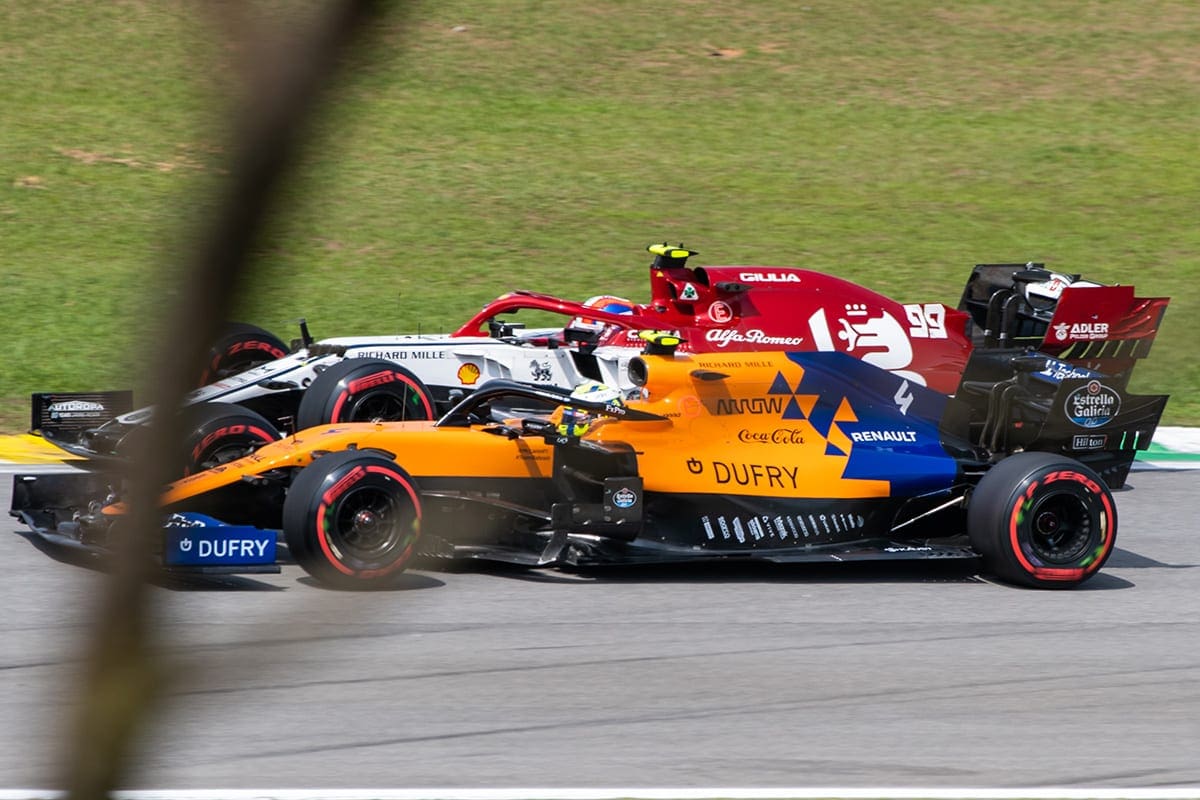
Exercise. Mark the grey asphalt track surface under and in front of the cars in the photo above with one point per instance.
(883, 677)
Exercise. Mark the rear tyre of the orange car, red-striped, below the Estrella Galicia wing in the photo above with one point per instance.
(1042, 521)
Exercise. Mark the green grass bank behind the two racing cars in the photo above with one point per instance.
(485, 146)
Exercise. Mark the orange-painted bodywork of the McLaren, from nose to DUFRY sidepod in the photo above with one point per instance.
(721, 432)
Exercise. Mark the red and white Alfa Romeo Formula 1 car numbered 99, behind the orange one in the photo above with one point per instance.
(712, 309)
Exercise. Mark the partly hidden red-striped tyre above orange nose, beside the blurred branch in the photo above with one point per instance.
(215, 434)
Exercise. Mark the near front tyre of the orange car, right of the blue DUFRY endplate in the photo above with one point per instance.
(352, 520)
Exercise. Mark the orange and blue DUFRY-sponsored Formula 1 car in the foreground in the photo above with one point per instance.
(785, 458)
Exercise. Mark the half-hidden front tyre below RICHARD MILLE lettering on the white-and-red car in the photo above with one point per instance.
(361, 390)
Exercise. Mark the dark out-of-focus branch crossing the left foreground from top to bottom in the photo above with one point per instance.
(284, 79)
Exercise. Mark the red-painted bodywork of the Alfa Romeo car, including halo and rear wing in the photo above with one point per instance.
(747, 309)
